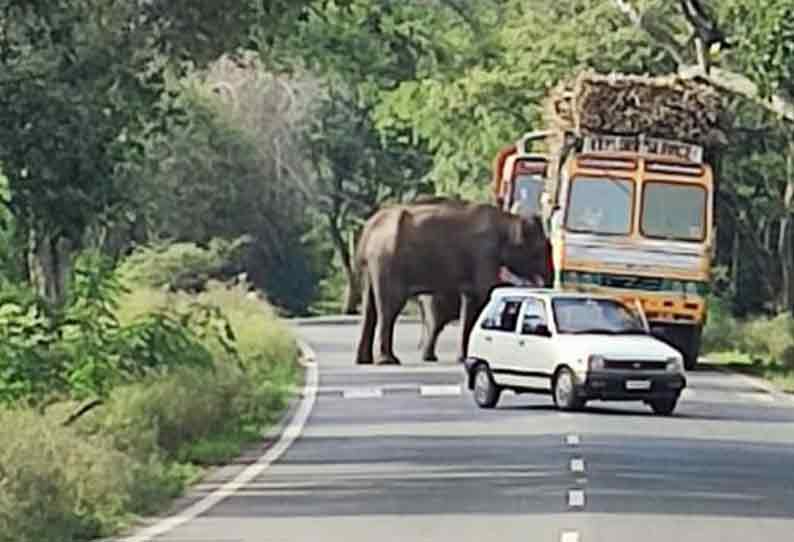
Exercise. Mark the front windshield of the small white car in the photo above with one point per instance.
(587, 315)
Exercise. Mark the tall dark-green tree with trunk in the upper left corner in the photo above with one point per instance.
(84, 89)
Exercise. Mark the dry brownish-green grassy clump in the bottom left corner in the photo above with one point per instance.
(56, 485)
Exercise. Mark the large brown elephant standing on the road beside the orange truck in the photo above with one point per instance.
(439, 246)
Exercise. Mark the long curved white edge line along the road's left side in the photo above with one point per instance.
(290, 434)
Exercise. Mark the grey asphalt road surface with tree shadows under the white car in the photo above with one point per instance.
(403, 454)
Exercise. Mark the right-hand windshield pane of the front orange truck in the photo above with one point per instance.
(674, 211)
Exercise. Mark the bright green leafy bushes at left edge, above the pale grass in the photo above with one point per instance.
(84, 351)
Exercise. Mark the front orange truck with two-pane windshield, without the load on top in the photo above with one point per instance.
(633, 217)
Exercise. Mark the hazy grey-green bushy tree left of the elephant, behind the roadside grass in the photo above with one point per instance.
(213, 185)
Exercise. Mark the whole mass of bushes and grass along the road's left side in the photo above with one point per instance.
(167, 383)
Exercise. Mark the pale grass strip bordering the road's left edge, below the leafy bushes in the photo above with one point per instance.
(150, 439)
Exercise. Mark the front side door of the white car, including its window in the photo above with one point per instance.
(534, 349)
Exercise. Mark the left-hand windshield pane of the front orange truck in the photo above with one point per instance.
(600, 205)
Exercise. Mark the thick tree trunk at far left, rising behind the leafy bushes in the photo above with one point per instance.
(49, 265)
